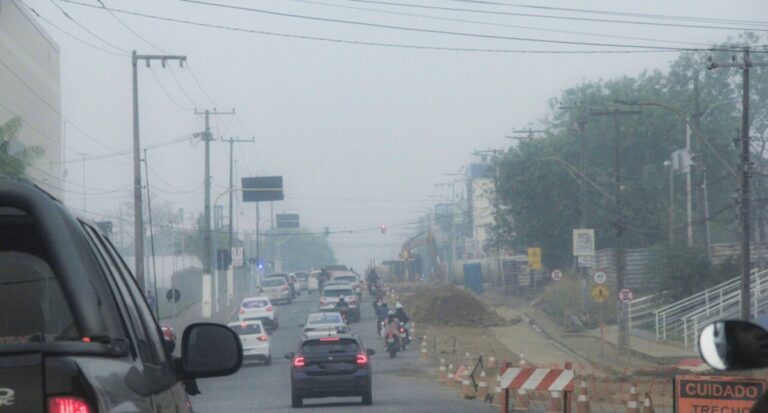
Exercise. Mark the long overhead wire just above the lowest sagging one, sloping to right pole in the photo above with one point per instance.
(423, 30)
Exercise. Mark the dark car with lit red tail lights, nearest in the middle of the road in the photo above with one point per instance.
(337, 366)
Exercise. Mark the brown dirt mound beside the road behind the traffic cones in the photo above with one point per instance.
(451, 306)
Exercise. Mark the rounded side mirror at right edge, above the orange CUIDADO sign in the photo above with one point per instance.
(734, 345)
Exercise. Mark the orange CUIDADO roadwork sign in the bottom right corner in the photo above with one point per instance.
(717, 393)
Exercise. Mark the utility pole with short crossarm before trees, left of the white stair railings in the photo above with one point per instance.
(619, 223)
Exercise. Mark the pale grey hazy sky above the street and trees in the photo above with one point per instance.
(360, 133)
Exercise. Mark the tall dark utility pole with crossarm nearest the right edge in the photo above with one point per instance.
(745, 169)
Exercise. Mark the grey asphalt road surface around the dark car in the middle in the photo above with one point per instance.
(399, 385)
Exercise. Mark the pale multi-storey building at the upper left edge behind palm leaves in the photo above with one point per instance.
(30, 87)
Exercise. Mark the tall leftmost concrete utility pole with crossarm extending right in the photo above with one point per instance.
(138, 218)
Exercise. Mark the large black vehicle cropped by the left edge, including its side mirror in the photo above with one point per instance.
(76, 333)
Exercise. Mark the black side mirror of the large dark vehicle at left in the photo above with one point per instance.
(210, 350)
